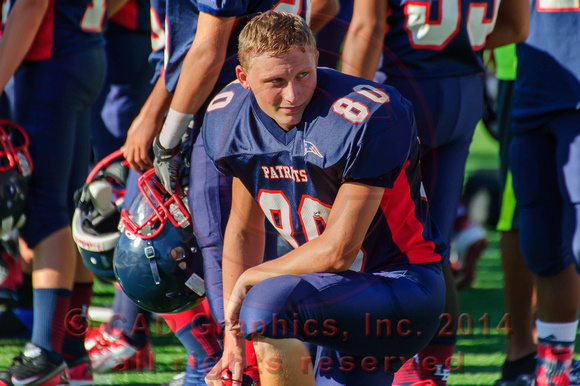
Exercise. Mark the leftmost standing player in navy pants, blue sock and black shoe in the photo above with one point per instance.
(55, 51)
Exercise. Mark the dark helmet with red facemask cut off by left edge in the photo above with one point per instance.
(15, 171)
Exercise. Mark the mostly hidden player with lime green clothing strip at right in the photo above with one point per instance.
(519, 288)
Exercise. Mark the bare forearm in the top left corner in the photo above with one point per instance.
(19, 32)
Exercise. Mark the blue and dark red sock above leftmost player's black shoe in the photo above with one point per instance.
(51, 306)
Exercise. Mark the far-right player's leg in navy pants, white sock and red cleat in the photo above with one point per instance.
(545, 166)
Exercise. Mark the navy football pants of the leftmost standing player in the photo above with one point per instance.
(52, 100)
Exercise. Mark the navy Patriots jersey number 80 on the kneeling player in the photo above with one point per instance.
(352, 131)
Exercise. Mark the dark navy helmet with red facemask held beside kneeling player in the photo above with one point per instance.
(157, 260)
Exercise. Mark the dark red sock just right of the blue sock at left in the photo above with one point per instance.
(77, 322)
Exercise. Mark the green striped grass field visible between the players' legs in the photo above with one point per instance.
(480, 347)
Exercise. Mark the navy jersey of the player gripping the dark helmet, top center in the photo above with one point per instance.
(182, 19)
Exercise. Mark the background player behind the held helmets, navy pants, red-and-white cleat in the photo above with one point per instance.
(126, 86)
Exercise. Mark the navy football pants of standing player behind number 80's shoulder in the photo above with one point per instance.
(447, 111)
